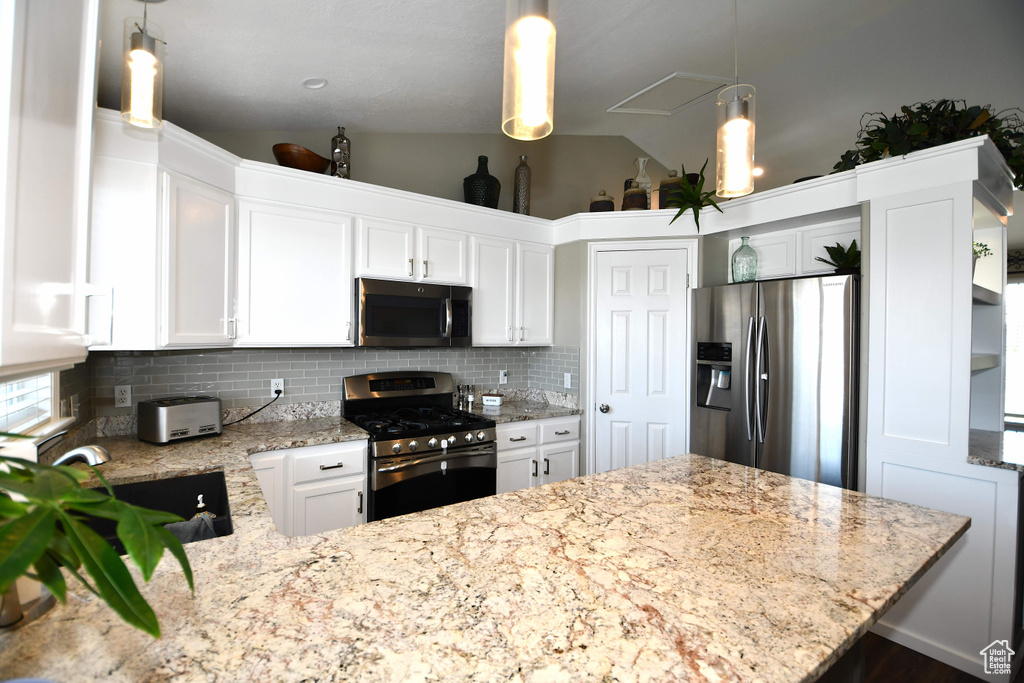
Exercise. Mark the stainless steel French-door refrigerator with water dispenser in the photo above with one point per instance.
(777, 375)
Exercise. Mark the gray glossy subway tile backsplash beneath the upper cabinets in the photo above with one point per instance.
(242, 377)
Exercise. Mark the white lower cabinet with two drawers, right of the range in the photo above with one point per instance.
(537, 452)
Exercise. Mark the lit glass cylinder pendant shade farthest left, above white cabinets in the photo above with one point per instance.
(143, 74)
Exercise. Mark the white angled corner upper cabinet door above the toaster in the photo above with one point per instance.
(198, 264)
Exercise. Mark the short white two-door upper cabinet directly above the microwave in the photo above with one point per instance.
(400, 251)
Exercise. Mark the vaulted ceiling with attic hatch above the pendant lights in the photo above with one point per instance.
(436, 67)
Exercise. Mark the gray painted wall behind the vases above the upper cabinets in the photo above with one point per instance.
(567, 170)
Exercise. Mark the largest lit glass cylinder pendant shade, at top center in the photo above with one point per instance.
(528, 103)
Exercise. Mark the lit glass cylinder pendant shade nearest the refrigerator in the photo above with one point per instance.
(736, 142)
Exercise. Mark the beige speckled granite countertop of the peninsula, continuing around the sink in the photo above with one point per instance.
(688, 569)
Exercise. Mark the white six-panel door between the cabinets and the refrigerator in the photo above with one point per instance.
(641, 358)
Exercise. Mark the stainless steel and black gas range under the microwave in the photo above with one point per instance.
(423, 453)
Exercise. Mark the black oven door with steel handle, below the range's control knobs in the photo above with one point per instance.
(410, 484)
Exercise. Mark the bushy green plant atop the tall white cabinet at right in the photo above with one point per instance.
(933, 123)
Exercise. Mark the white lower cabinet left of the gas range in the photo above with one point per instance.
(315, 490)
